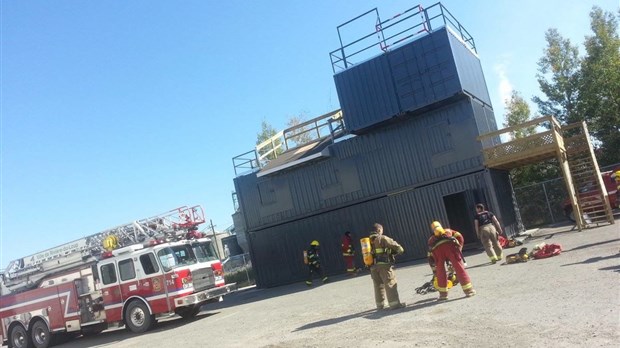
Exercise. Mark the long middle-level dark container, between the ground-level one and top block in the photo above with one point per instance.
(413, 152)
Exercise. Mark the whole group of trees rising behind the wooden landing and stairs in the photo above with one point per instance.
(576, 88)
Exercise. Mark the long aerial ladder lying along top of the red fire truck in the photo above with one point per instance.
(175, 224)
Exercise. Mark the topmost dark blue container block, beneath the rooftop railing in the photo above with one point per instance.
(419, 75)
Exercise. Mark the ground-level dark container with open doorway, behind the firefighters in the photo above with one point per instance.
(277, 251)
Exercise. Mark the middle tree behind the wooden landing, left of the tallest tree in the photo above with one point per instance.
(558, 78)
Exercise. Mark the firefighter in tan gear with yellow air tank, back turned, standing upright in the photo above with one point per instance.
(384, 249)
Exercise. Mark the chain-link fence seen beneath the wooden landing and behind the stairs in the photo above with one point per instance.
(543, 203)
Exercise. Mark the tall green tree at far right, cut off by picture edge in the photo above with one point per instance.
(599, 91)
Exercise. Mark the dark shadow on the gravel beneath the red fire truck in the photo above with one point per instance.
(114, 336)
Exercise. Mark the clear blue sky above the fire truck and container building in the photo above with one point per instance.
(118, 110)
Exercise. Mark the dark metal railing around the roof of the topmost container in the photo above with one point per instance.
(409, 24)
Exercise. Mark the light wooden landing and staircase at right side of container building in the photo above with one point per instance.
(572, 147)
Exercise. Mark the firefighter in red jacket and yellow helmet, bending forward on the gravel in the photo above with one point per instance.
(443, 246)
